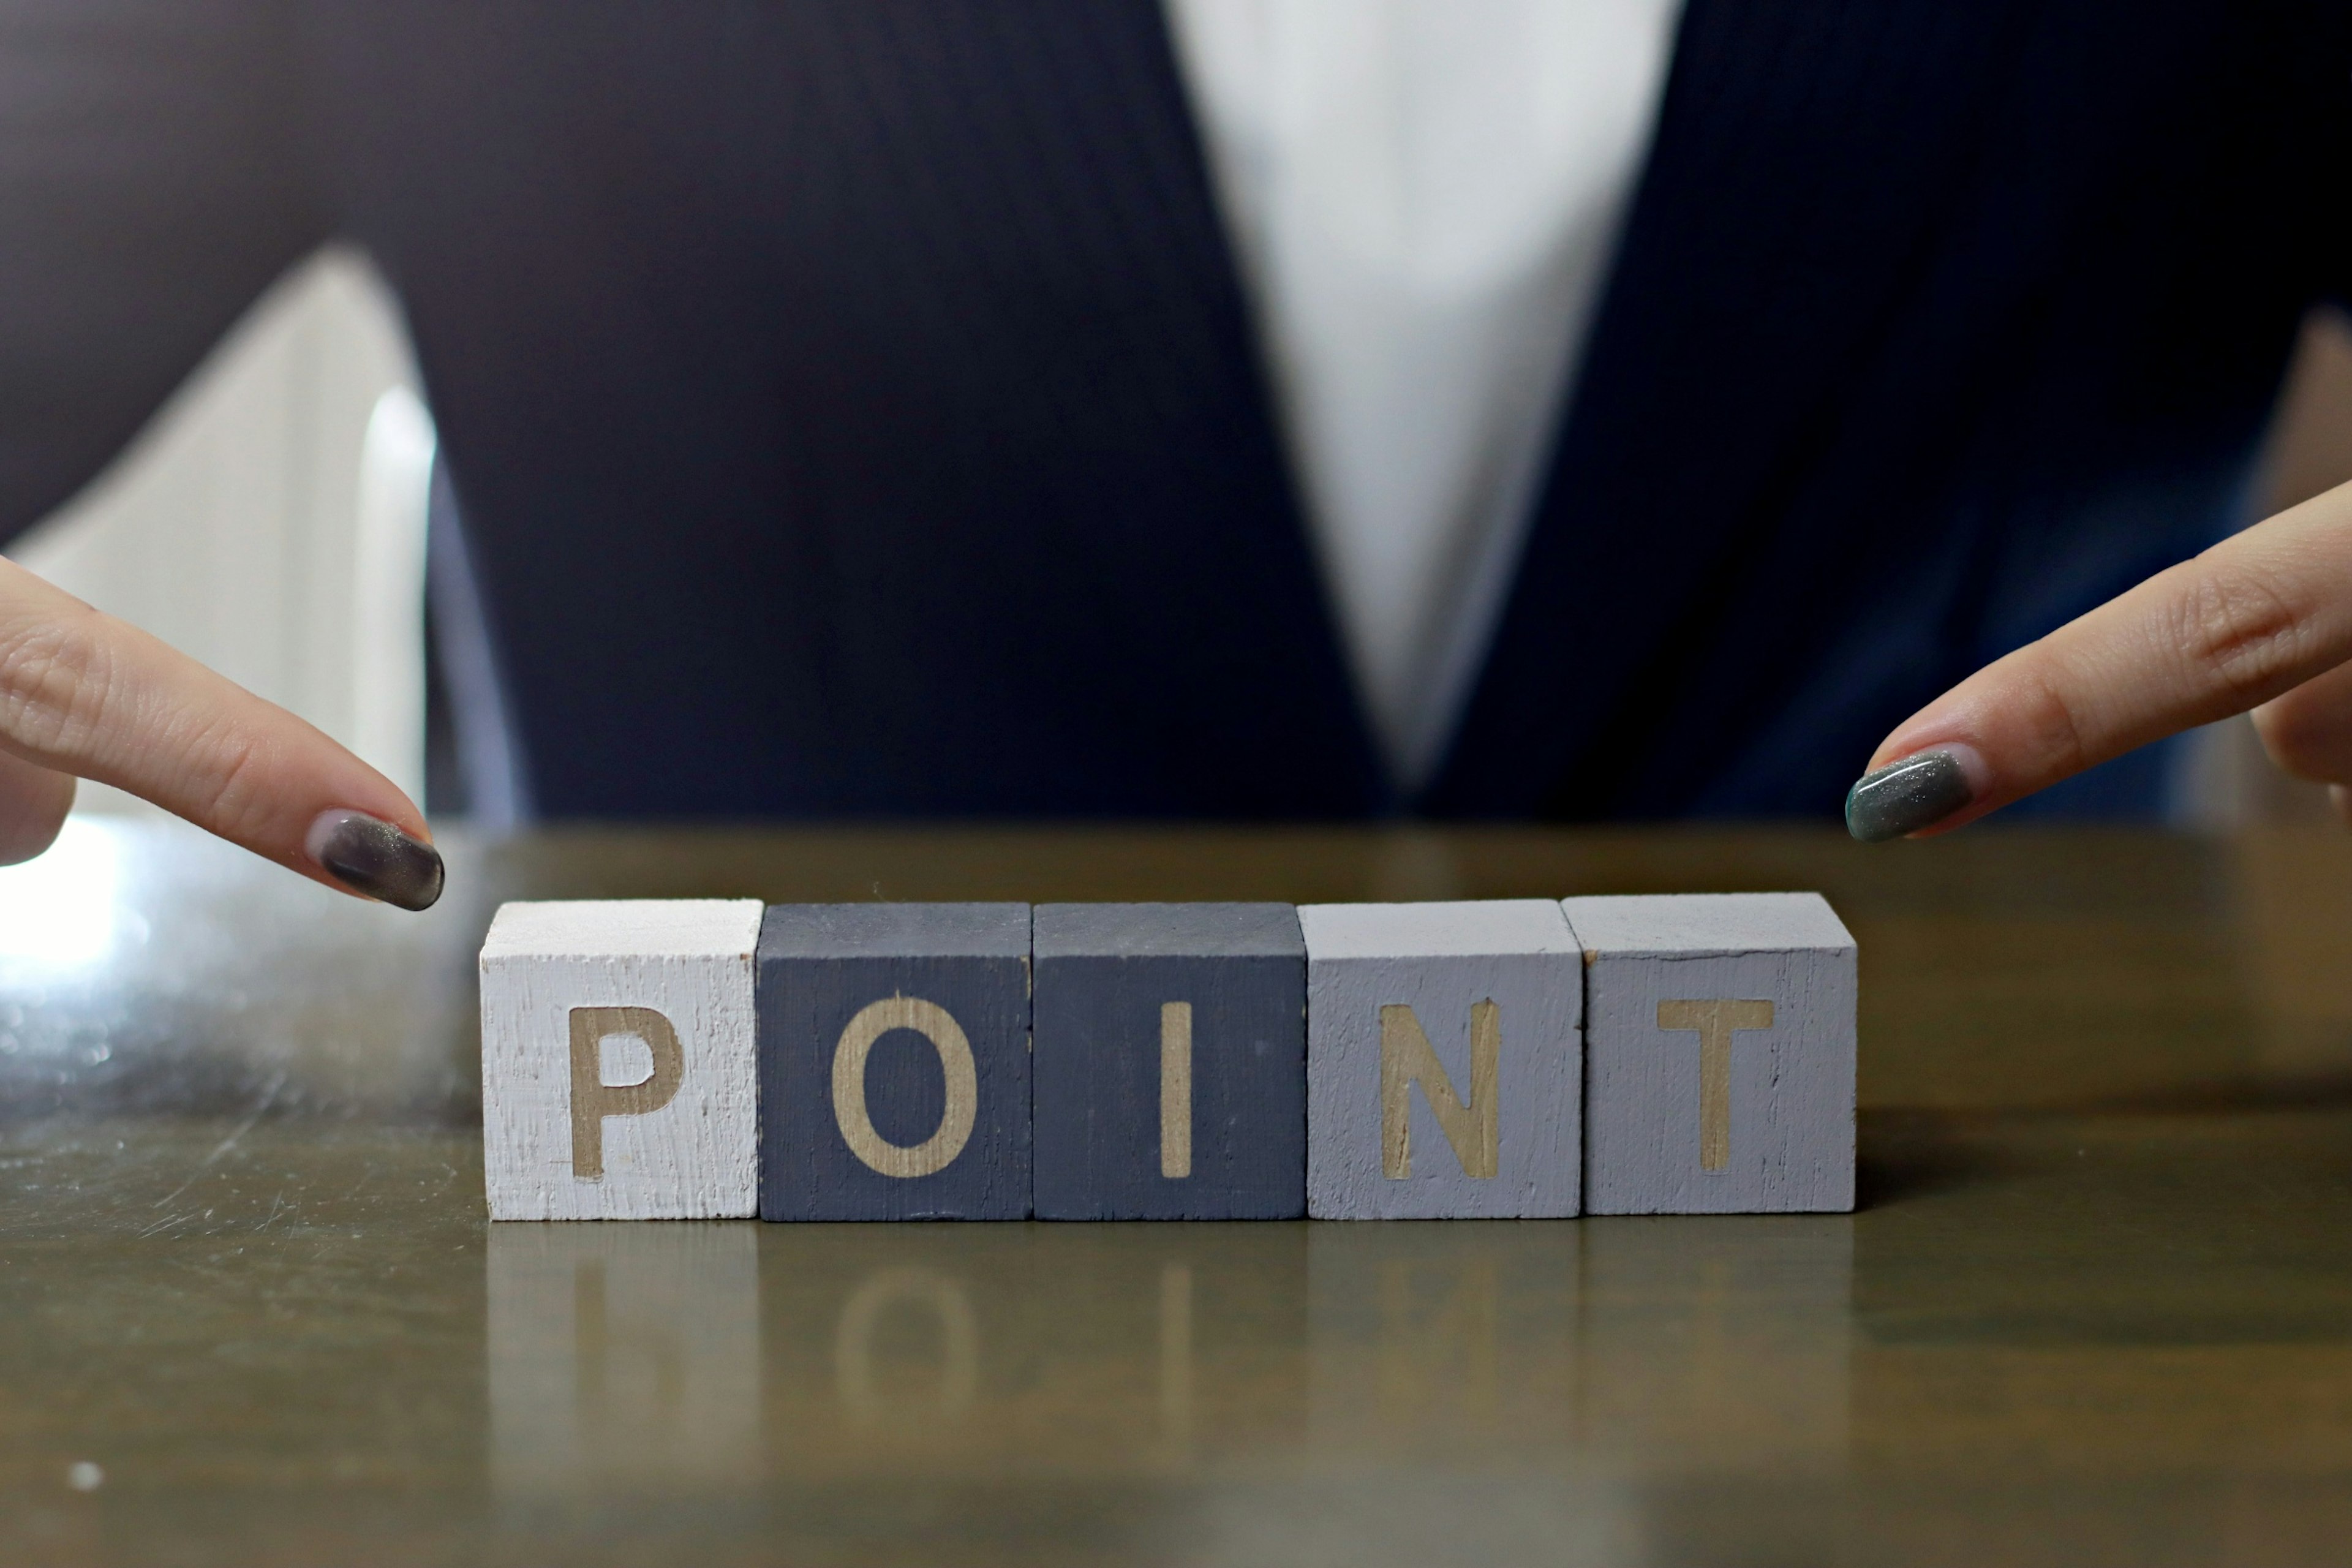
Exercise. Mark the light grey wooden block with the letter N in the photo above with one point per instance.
(1445, 1061)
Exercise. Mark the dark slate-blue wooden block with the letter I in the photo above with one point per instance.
(1172, 1061)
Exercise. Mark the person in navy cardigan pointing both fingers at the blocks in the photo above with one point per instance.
(1224, 408)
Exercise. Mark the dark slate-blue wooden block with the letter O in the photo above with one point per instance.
(895, 1061)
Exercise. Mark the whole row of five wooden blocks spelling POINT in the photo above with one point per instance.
(1168, 1061)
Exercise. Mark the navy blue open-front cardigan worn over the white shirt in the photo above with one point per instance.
(855, 408)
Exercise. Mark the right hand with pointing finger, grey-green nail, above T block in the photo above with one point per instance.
(2259, 622)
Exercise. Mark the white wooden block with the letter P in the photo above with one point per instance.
(620, 1061)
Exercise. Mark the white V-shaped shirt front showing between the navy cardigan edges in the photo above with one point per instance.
(1424, 196)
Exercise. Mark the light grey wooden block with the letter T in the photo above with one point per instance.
(1718, 1054)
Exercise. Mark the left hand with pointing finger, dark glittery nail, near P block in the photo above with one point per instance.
(91, 697)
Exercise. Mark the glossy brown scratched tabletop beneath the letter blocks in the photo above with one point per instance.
(2097, 1306)
